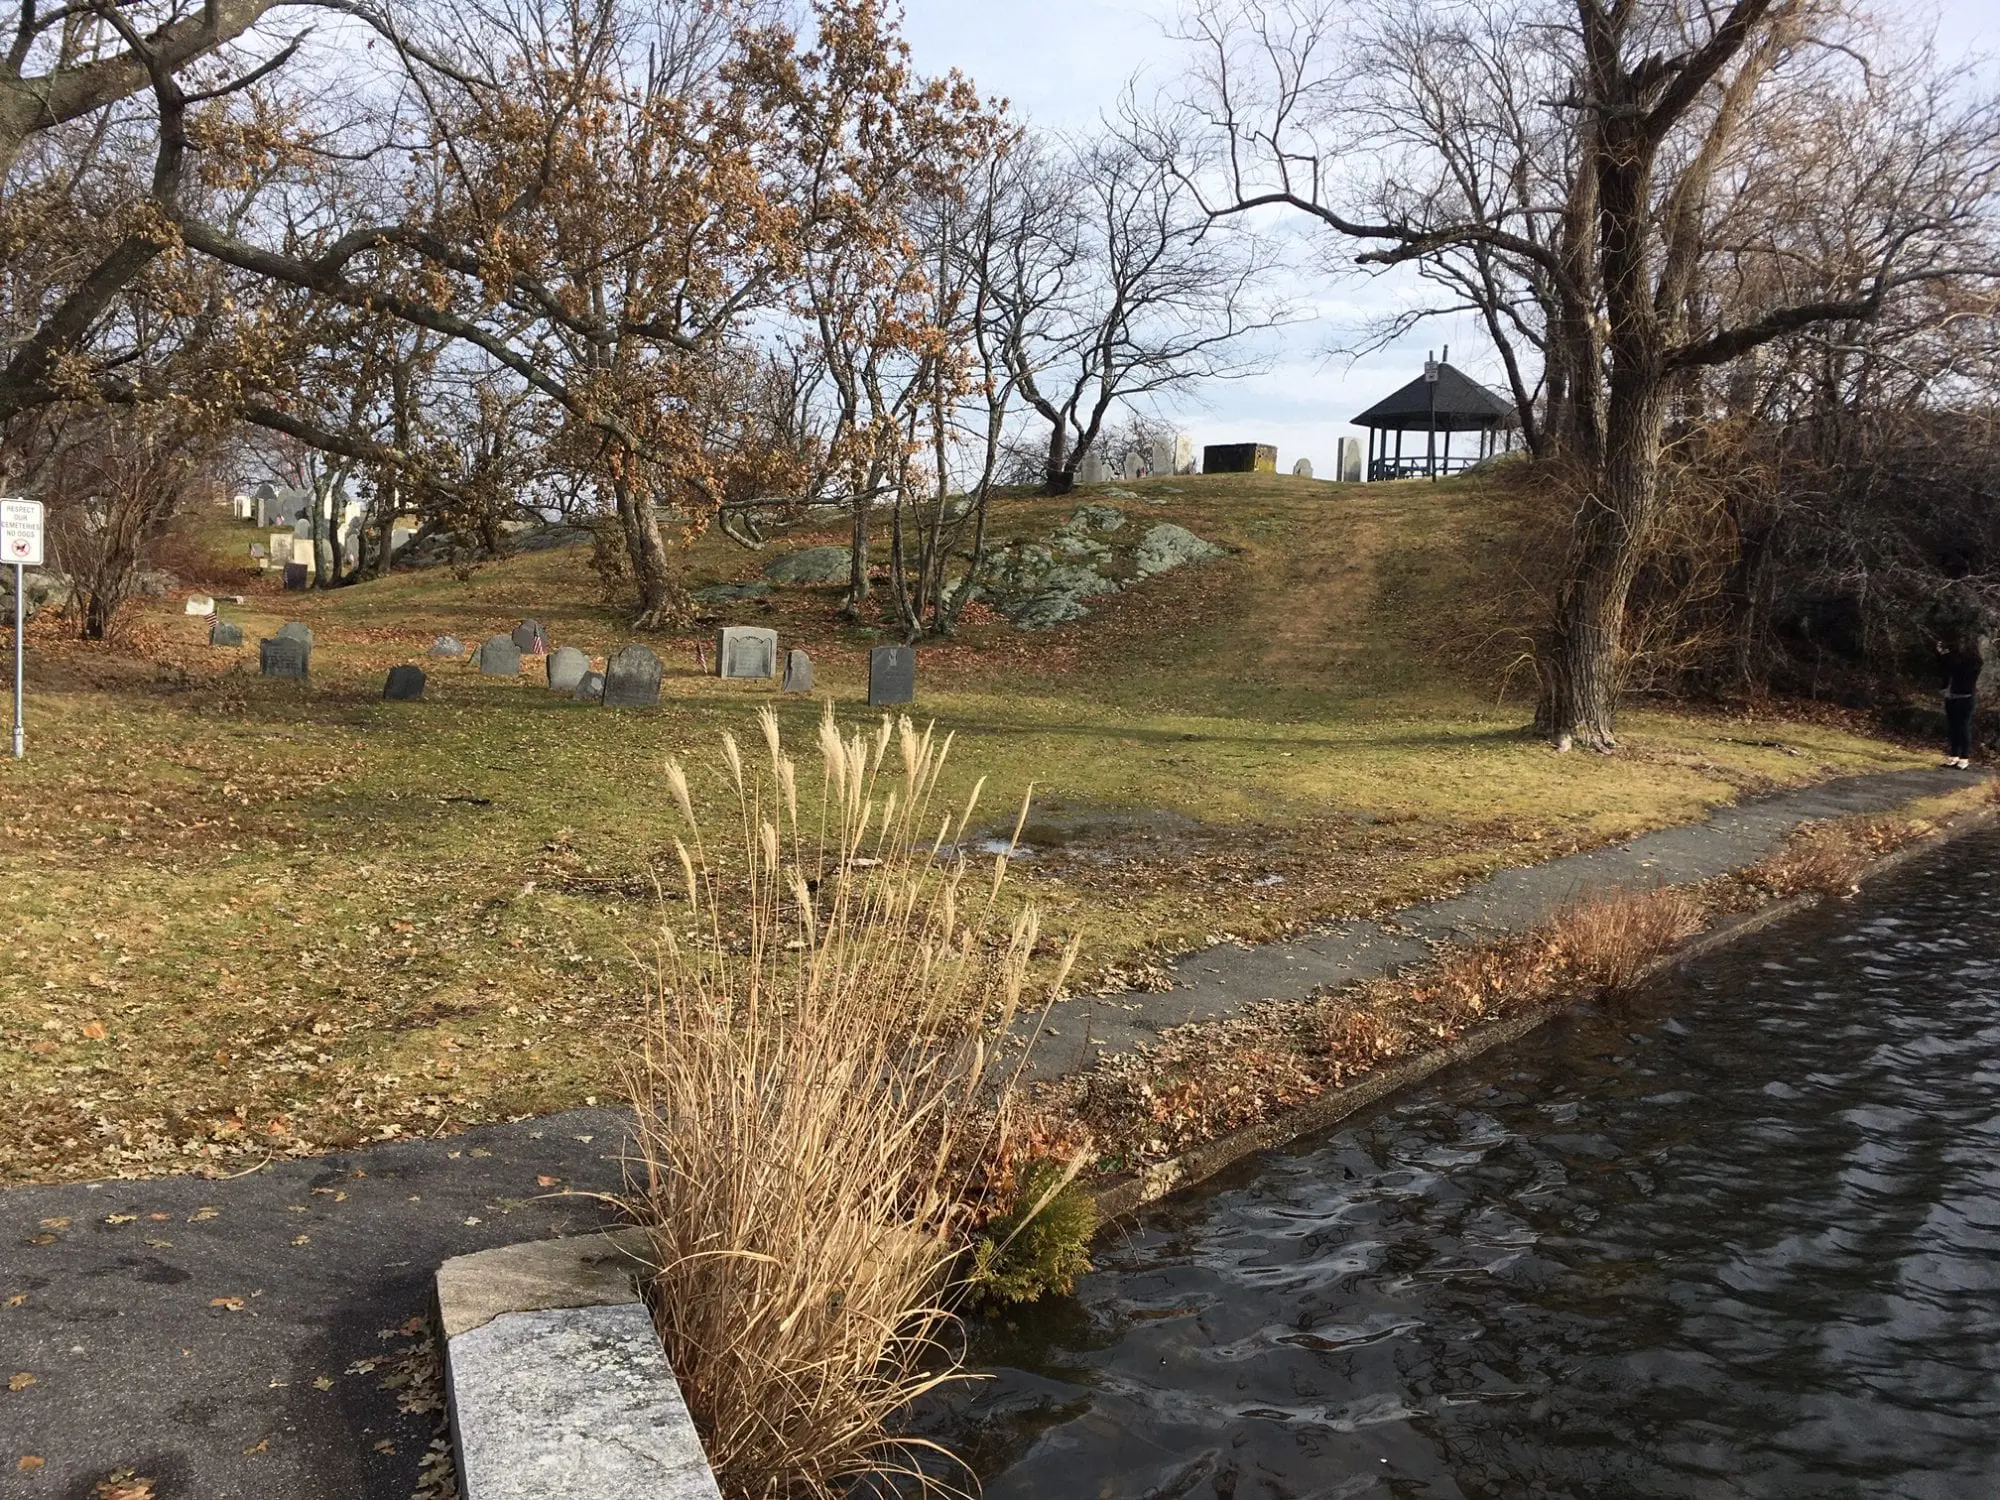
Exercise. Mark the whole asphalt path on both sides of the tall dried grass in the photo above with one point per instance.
(259, 1339)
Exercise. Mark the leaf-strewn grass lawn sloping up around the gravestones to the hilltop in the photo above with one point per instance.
(251, 917)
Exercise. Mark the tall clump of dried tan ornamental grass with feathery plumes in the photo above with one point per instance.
(819, 1107)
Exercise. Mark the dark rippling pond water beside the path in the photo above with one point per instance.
(1735, 1239)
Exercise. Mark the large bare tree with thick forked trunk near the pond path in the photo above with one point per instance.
(1657, 107)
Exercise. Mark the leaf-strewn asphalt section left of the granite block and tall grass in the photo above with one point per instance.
(217, 1337)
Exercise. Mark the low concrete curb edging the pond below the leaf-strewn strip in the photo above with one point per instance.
(1133, 1193)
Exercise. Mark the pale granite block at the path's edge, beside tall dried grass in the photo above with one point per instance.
(555, 1377)
